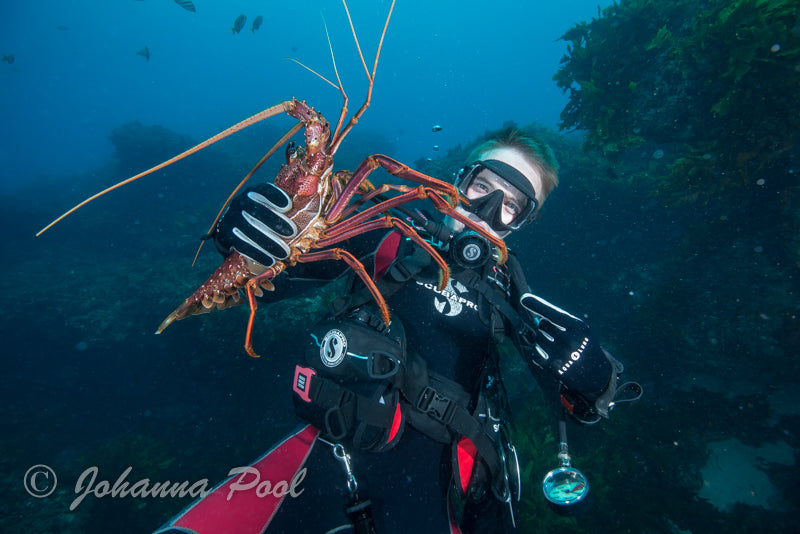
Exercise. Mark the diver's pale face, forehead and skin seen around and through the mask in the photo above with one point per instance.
(487, 182)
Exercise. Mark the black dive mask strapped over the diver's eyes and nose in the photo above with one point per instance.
(490, 206)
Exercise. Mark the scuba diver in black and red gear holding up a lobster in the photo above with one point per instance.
(406, 426)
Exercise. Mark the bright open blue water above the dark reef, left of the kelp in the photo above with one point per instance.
(465, 65)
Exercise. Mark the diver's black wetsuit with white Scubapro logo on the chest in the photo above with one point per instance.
(409, 484)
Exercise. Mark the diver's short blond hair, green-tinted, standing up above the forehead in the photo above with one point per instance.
(536, 151)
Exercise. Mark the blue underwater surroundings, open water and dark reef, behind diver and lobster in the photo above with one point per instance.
(675, 232)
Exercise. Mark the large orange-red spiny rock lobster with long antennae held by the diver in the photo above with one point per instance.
(327, 207)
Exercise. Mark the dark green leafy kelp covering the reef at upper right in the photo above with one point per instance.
(712, 88)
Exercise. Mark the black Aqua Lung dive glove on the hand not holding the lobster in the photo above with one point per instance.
(563, 345)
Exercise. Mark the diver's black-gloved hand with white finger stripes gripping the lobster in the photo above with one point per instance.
(256, 226)
